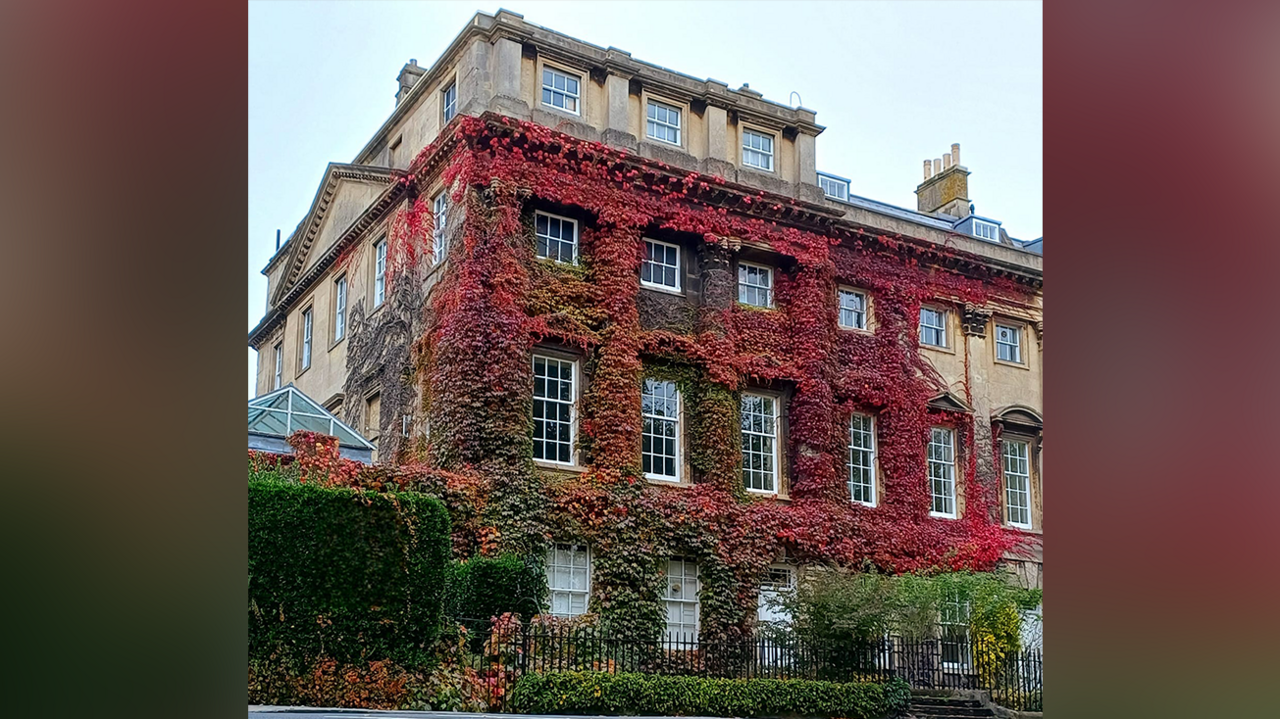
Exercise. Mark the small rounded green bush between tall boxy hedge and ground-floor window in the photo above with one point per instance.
(484, 587)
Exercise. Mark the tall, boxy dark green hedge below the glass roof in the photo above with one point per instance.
(342, 574)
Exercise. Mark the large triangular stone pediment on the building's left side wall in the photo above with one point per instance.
(345, 194)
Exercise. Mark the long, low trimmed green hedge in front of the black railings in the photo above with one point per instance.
(600, 693)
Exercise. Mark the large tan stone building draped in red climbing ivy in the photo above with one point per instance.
(685, 361)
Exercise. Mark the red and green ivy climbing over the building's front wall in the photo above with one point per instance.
(499, 303)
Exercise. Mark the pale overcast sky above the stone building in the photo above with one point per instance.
(894, 84)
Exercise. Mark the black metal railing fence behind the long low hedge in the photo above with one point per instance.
(1014, 680)
